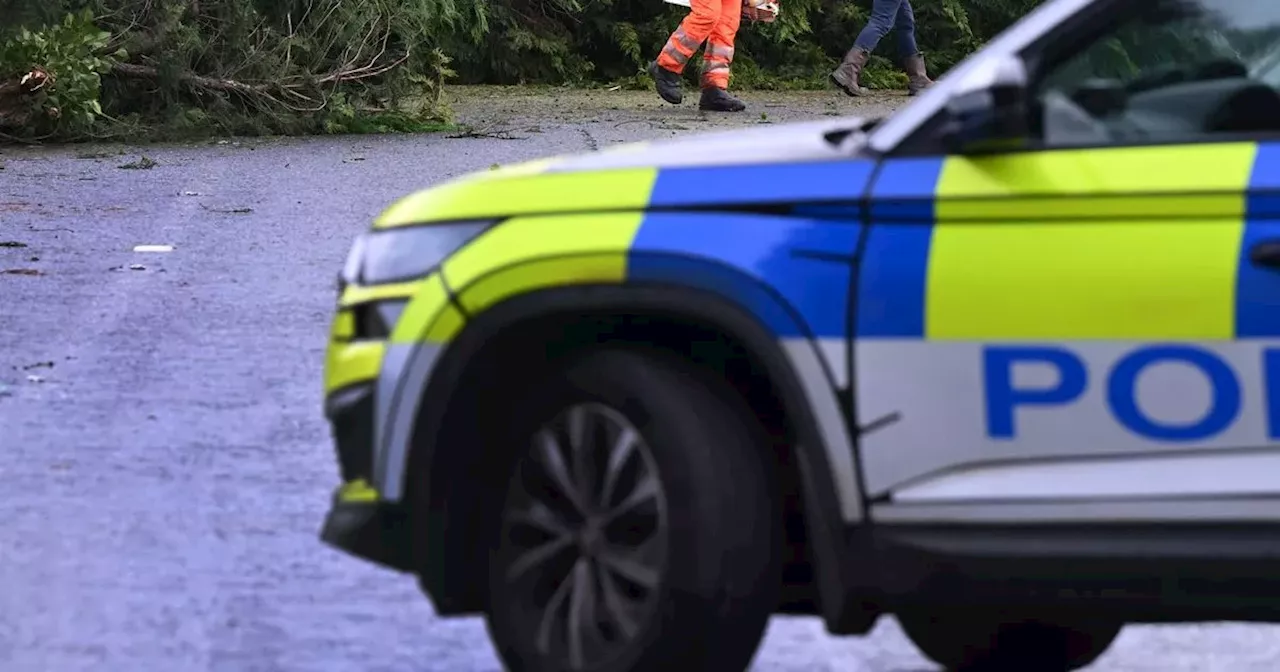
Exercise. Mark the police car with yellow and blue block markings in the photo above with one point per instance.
(1004, 365)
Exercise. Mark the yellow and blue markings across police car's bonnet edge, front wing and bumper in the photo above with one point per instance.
(614, 227)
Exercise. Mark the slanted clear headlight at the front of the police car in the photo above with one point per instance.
(408, 253)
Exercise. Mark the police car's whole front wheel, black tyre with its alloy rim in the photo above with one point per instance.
(688, 578)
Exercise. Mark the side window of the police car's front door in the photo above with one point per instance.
(1177, 71)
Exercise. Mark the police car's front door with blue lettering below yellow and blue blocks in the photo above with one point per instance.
(1091, 319)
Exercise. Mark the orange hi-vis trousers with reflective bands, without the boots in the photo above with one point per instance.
(714, 22)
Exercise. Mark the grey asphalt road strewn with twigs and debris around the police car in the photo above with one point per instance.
(163, 456)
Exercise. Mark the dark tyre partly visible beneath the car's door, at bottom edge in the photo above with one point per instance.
(975, 642)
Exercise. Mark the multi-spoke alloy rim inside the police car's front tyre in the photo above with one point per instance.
(584, 537)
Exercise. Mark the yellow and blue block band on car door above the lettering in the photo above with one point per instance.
(1123, 244)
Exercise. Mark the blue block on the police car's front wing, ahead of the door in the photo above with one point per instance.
(792, 272)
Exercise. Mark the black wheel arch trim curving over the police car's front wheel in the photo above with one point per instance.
(452, 510)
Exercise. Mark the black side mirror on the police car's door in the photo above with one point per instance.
(990, 111)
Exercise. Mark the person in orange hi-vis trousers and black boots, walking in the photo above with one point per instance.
(716, 24)
